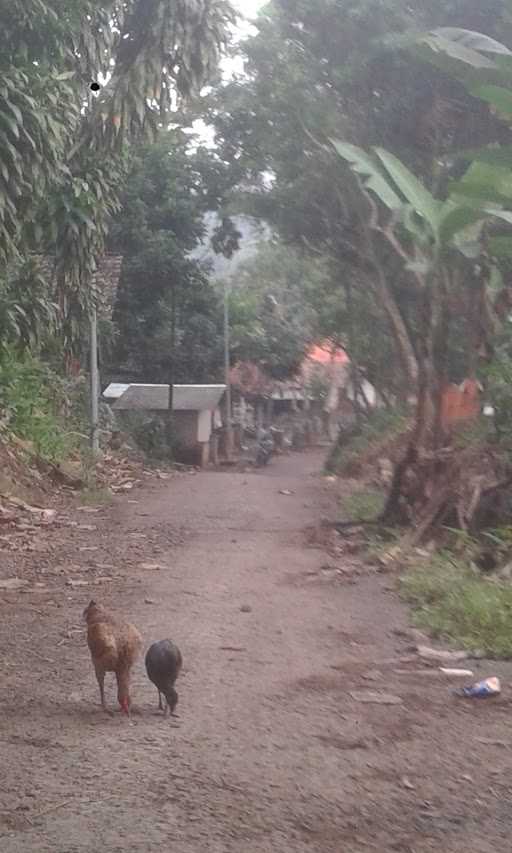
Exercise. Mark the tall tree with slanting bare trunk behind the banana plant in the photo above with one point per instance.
(317, 70)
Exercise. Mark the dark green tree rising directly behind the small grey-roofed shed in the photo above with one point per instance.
(168, 315)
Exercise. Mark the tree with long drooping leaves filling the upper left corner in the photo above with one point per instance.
(62, 160)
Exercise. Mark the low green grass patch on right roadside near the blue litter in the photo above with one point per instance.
(453, 601)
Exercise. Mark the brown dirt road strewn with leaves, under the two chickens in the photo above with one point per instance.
(271, 752)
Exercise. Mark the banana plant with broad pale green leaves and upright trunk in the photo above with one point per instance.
(435, 238)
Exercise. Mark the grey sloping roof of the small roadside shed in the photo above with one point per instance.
(155, 398)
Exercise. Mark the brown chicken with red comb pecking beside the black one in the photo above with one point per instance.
(114, 647)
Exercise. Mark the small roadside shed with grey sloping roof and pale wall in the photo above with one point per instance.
(194, 409)
